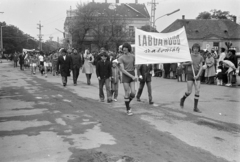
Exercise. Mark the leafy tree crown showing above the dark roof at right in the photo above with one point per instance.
(215, 14)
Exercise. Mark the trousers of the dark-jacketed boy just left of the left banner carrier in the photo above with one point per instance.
(105, 82)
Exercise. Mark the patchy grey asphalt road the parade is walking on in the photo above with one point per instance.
(41, 121)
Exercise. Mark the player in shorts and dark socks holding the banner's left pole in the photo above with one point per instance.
(127, 67)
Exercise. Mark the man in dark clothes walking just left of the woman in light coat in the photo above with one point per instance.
(76, 65)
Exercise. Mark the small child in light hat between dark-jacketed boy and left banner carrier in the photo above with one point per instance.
(116, 76)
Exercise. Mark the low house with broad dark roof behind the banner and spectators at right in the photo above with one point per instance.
(209, 33)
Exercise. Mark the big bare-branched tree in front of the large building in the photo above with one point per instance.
(100, 27)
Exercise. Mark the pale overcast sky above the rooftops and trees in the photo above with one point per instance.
(26, 14)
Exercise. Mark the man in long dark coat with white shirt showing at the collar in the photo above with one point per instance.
(64, 64)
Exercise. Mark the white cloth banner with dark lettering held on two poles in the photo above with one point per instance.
(154, 48)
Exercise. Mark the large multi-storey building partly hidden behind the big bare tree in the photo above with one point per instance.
(134, 15)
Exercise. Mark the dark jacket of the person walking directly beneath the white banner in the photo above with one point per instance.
(144, 70)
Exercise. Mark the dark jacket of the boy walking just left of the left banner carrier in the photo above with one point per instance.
(104, 70)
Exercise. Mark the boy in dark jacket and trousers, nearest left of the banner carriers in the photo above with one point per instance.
(104, 74)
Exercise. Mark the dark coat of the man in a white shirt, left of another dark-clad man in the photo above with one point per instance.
(64, 65)
